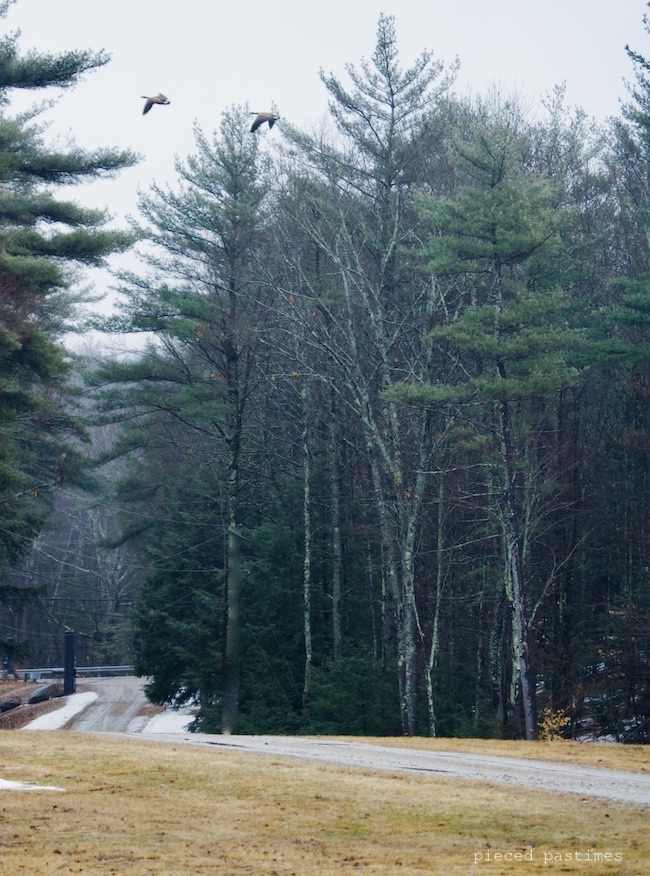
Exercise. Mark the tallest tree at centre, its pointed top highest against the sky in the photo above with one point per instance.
(373, 311)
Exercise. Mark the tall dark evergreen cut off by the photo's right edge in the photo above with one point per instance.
(618, 573)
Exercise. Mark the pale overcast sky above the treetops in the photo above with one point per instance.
(207, 55)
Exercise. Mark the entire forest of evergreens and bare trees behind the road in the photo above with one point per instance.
(379, 464)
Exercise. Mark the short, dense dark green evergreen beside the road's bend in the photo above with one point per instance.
(179, 610)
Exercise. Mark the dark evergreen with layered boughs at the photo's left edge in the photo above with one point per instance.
(43, 238)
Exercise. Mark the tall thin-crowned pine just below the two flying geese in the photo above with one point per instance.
(194, 386)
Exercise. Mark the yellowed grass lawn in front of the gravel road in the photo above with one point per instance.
(137, 807)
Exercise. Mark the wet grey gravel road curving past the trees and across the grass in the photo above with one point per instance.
(120, 700)
